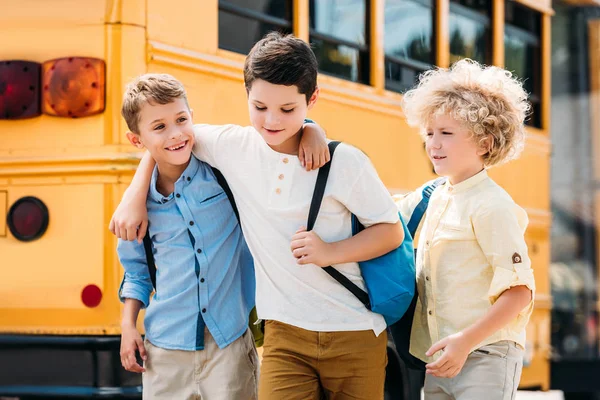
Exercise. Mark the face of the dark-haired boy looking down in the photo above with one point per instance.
(277, 112)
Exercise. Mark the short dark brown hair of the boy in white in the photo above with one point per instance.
(282, 60)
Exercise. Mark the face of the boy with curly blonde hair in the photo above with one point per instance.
(452, 149)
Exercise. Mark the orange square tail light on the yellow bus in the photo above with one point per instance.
(73, 87)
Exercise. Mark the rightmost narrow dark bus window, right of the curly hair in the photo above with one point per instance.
(522, 52)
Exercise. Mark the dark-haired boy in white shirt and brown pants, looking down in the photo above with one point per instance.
(319, 339)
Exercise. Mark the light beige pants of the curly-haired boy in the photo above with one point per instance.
(491, 372)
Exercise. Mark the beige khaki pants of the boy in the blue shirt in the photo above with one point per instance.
(210, 374)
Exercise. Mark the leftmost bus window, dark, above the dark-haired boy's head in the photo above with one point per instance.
(242, 23)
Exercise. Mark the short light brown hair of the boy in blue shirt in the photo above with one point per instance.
(152, 89)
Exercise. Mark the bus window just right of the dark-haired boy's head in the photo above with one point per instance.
(338, 35)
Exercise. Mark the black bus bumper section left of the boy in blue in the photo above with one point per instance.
(65, 367)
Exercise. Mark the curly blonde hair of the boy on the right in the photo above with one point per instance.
(488, 100)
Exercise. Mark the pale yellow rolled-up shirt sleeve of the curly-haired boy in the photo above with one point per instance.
(499, 229)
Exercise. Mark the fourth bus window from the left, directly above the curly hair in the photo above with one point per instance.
(470, 30)
